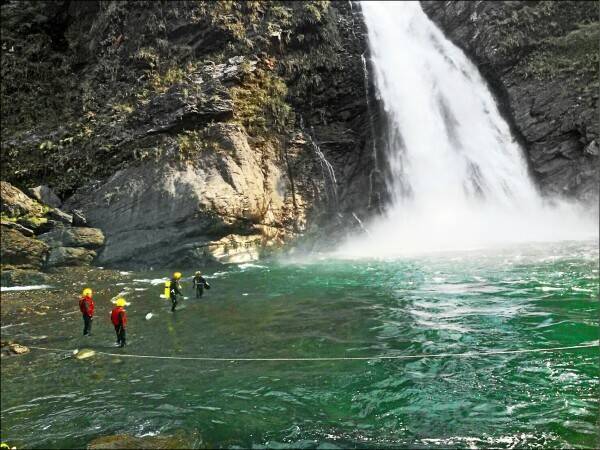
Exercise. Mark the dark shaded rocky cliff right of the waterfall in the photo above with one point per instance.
(541, 60)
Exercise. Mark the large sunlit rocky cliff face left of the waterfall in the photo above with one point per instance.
(189, 130)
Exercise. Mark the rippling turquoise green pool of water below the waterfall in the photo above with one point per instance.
(536, 296)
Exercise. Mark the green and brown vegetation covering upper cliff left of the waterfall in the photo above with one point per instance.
(75, 76)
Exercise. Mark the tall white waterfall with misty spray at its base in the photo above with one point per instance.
(458, 177)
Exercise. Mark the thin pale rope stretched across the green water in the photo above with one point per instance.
(340, 358)
